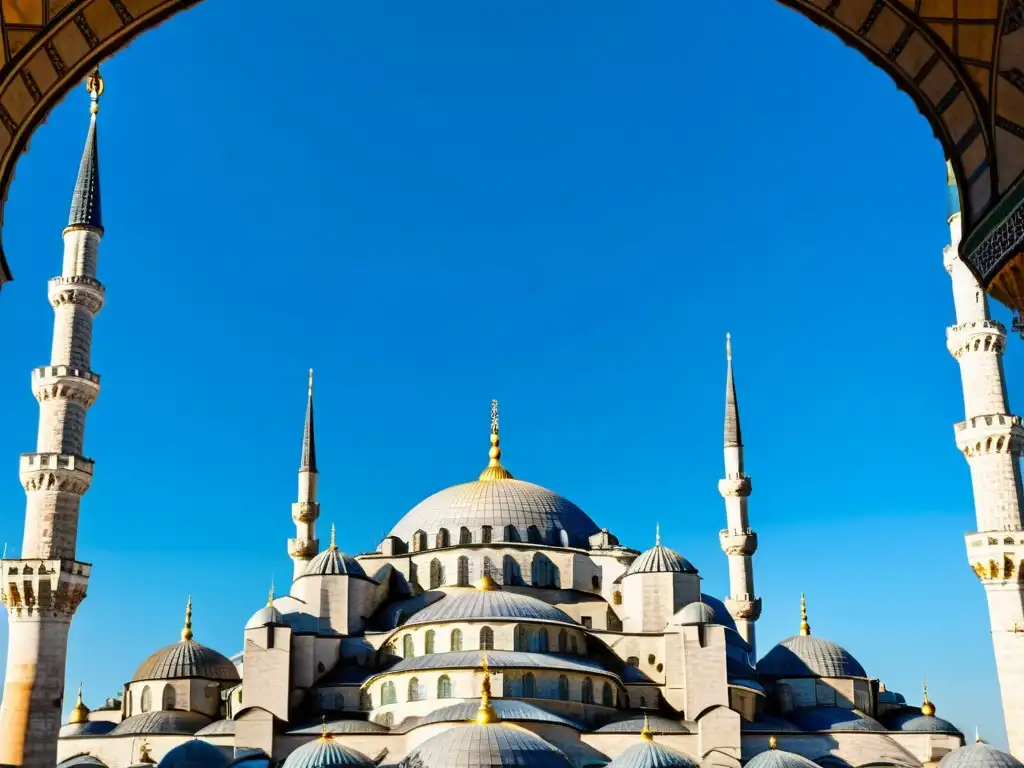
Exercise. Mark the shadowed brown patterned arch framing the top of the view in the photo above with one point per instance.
(962, 63)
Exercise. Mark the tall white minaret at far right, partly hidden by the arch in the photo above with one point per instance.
(991, 439)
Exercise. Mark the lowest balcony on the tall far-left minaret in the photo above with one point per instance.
(44, 588)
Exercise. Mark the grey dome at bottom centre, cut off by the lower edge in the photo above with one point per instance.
(486, 747)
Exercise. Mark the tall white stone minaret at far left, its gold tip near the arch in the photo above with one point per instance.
(46, 586)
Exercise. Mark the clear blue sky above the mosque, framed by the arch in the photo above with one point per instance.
(565, 206)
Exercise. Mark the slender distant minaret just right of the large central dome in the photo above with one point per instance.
(739, 541)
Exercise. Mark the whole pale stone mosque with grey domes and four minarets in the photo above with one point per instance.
(496, 625)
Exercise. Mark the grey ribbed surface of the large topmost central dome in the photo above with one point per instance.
(498, 503)
